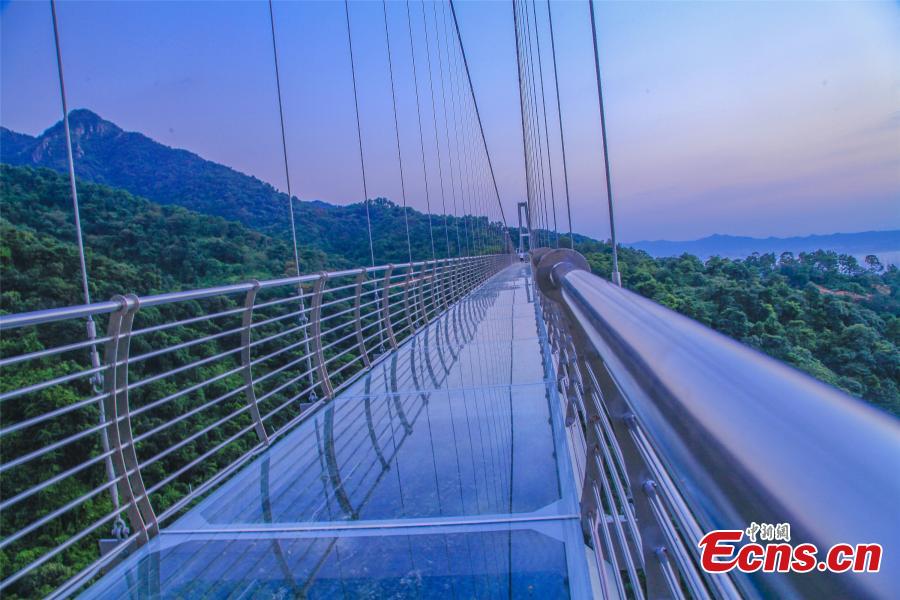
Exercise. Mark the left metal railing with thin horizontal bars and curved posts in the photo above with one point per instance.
(192, 385)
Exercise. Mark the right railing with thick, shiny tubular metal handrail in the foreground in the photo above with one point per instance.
(682, 431)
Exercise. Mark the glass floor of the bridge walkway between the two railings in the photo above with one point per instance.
(442, 472)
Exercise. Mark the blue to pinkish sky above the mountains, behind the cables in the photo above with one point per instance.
(749, 118)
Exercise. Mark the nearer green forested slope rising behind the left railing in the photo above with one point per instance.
(132, 244)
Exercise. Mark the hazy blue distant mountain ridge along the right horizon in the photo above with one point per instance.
(730, 246)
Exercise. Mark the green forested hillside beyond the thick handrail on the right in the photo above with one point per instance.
(819, 311)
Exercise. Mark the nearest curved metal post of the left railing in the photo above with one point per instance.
(125, 462)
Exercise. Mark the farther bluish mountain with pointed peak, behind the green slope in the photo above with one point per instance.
(104, 153)
